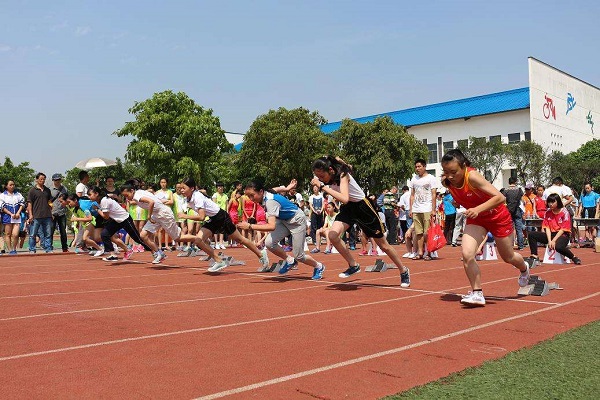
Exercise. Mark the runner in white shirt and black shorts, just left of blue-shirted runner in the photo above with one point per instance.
(219, 222)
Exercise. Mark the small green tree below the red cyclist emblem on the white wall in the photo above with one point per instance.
(530, 161)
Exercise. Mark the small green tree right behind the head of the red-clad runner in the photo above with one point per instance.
(486, 155)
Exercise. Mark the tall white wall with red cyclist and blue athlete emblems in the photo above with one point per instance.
(565, 111)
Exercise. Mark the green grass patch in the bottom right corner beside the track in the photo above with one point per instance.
(566, 367)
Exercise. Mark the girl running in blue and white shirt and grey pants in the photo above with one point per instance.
(283, 218)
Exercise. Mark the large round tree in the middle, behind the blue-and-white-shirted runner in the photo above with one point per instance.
(282, 144)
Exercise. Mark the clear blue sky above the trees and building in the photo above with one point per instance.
(70, 70)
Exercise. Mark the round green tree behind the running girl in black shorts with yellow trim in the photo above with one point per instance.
(382, 153)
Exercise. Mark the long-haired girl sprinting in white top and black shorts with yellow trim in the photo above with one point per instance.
(334, 178)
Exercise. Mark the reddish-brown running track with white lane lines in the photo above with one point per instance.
(76, 327)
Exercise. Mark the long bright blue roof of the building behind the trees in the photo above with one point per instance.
(511, 100)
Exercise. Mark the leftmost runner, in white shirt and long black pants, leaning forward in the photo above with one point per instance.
(117, 218)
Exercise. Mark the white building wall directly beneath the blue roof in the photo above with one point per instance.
(504, 124)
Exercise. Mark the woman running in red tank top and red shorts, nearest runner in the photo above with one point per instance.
(486, 211)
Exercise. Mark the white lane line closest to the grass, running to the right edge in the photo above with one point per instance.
(357, 360)
